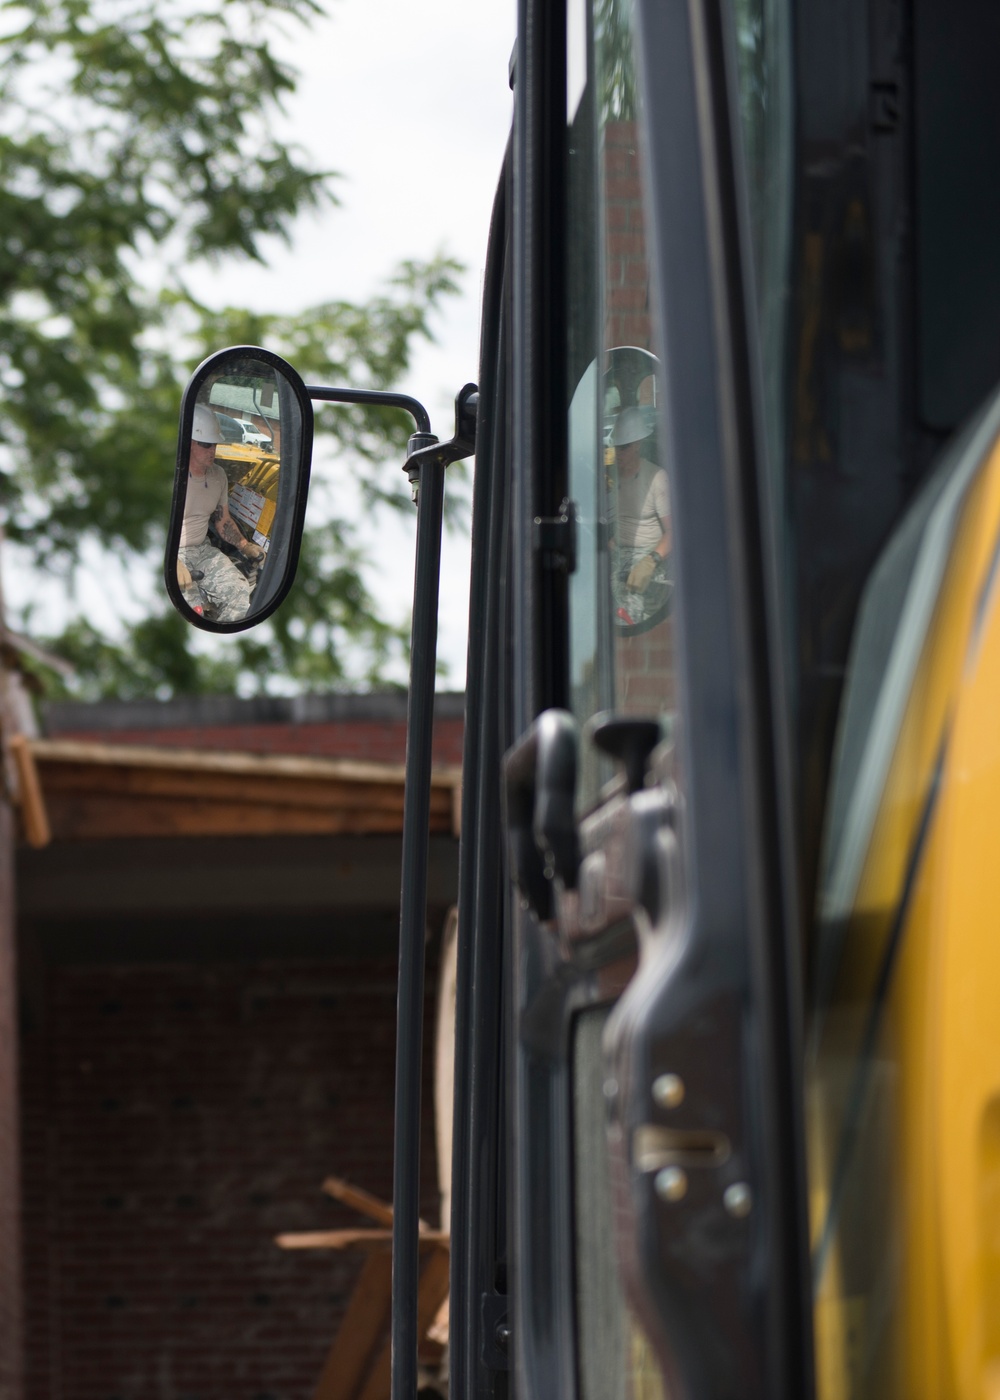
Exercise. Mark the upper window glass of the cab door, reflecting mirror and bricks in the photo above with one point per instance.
(621, 596)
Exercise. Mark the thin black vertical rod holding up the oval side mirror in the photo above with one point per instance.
(412, 923)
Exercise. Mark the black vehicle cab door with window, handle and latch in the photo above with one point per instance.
(659, 1238)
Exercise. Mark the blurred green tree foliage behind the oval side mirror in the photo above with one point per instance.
(138, 139)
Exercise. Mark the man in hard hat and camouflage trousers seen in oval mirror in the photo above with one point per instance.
(205, 573)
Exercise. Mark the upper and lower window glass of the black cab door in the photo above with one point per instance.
(621, 593)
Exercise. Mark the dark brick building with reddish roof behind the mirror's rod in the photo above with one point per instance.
(208, 1032)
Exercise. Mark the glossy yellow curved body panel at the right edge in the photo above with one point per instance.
(905, 1104)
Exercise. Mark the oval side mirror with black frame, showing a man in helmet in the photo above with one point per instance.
(243, 471)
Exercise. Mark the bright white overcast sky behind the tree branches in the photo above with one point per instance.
(411, 104)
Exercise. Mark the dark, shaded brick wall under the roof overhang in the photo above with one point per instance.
(176, 1119)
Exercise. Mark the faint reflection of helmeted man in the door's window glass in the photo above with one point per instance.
(642, 502)
